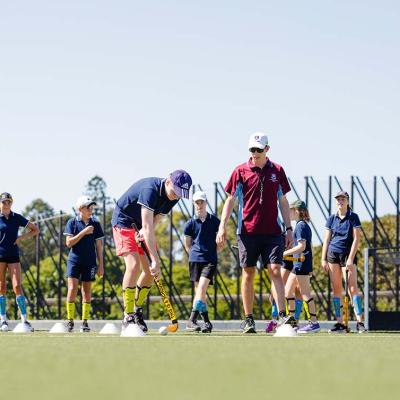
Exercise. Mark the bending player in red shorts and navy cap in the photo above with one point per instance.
(142, 205)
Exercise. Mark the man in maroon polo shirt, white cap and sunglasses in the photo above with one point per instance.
(259, 185)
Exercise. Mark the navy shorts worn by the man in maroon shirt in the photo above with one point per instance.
(269, 247)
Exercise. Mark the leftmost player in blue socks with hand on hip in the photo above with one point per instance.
(10, 222)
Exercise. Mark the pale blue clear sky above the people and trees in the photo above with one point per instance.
(128, 89)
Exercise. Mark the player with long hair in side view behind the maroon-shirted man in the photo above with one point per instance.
(300, 274)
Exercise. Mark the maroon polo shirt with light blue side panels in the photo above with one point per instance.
(258, 190)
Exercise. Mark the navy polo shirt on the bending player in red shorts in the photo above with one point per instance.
(149, 193)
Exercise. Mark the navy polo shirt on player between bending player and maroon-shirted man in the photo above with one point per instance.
(203, 234)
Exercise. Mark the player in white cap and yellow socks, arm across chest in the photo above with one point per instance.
(84, 237)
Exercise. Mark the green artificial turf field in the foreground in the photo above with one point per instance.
(183, 366)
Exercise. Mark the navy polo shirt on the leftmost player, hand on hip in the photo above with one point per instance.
(9, 228)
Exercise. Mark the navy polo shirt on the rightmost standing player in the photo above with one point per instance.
(342, 231)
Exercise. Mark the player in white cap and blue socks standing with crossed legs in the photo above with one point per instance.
(200, 234)
